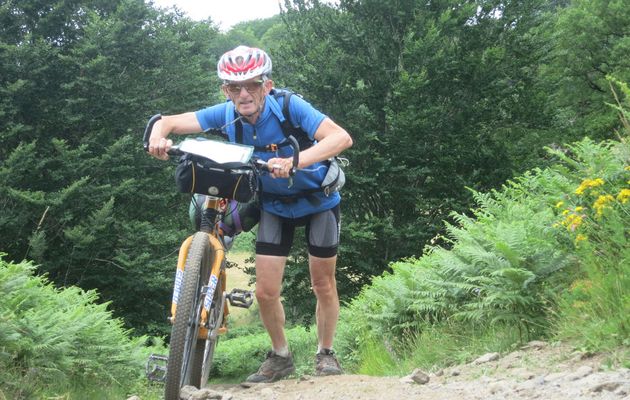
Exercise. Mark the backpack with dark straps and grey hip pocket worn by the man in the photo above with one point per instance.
(335, 177)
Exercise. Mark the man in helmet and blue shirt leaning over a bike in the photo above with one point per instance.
(253, 112)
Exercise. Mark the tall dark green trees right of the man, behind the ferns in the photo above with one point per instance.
(438, 96)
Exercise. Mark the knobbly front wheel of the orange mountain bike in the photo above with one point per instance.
(183, 359)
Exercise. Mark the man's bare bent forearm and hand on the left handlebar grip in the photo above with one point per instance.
(180, 124)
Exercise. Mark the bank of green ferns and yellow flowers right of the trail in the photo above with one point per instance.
(550, 236)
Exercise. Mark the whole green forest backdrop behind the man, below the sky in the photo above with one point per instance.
(443, 99)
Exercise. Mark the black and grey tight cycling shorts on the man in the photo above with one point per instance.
(275, 233)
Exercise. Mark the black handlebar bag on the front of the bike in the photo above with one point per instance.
(233, 180)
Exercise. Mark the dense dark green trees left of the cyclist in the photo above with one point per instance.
(78, 195)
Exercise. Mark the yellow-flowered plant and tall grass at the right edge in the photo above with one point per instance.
(596, 216)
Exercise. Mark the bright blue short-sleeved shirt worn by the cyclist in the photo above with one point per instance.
(267, 130)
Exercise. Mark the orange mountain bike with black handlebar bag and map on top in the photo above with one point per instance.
(199, 308)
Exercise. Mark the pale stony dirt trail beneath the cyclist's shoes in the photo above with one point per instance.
(538, 371)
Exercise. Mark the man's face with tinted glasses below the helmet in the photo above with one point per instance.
(248, 96)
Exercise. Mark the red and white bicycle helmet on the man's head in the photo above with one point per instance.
(243, 63)
